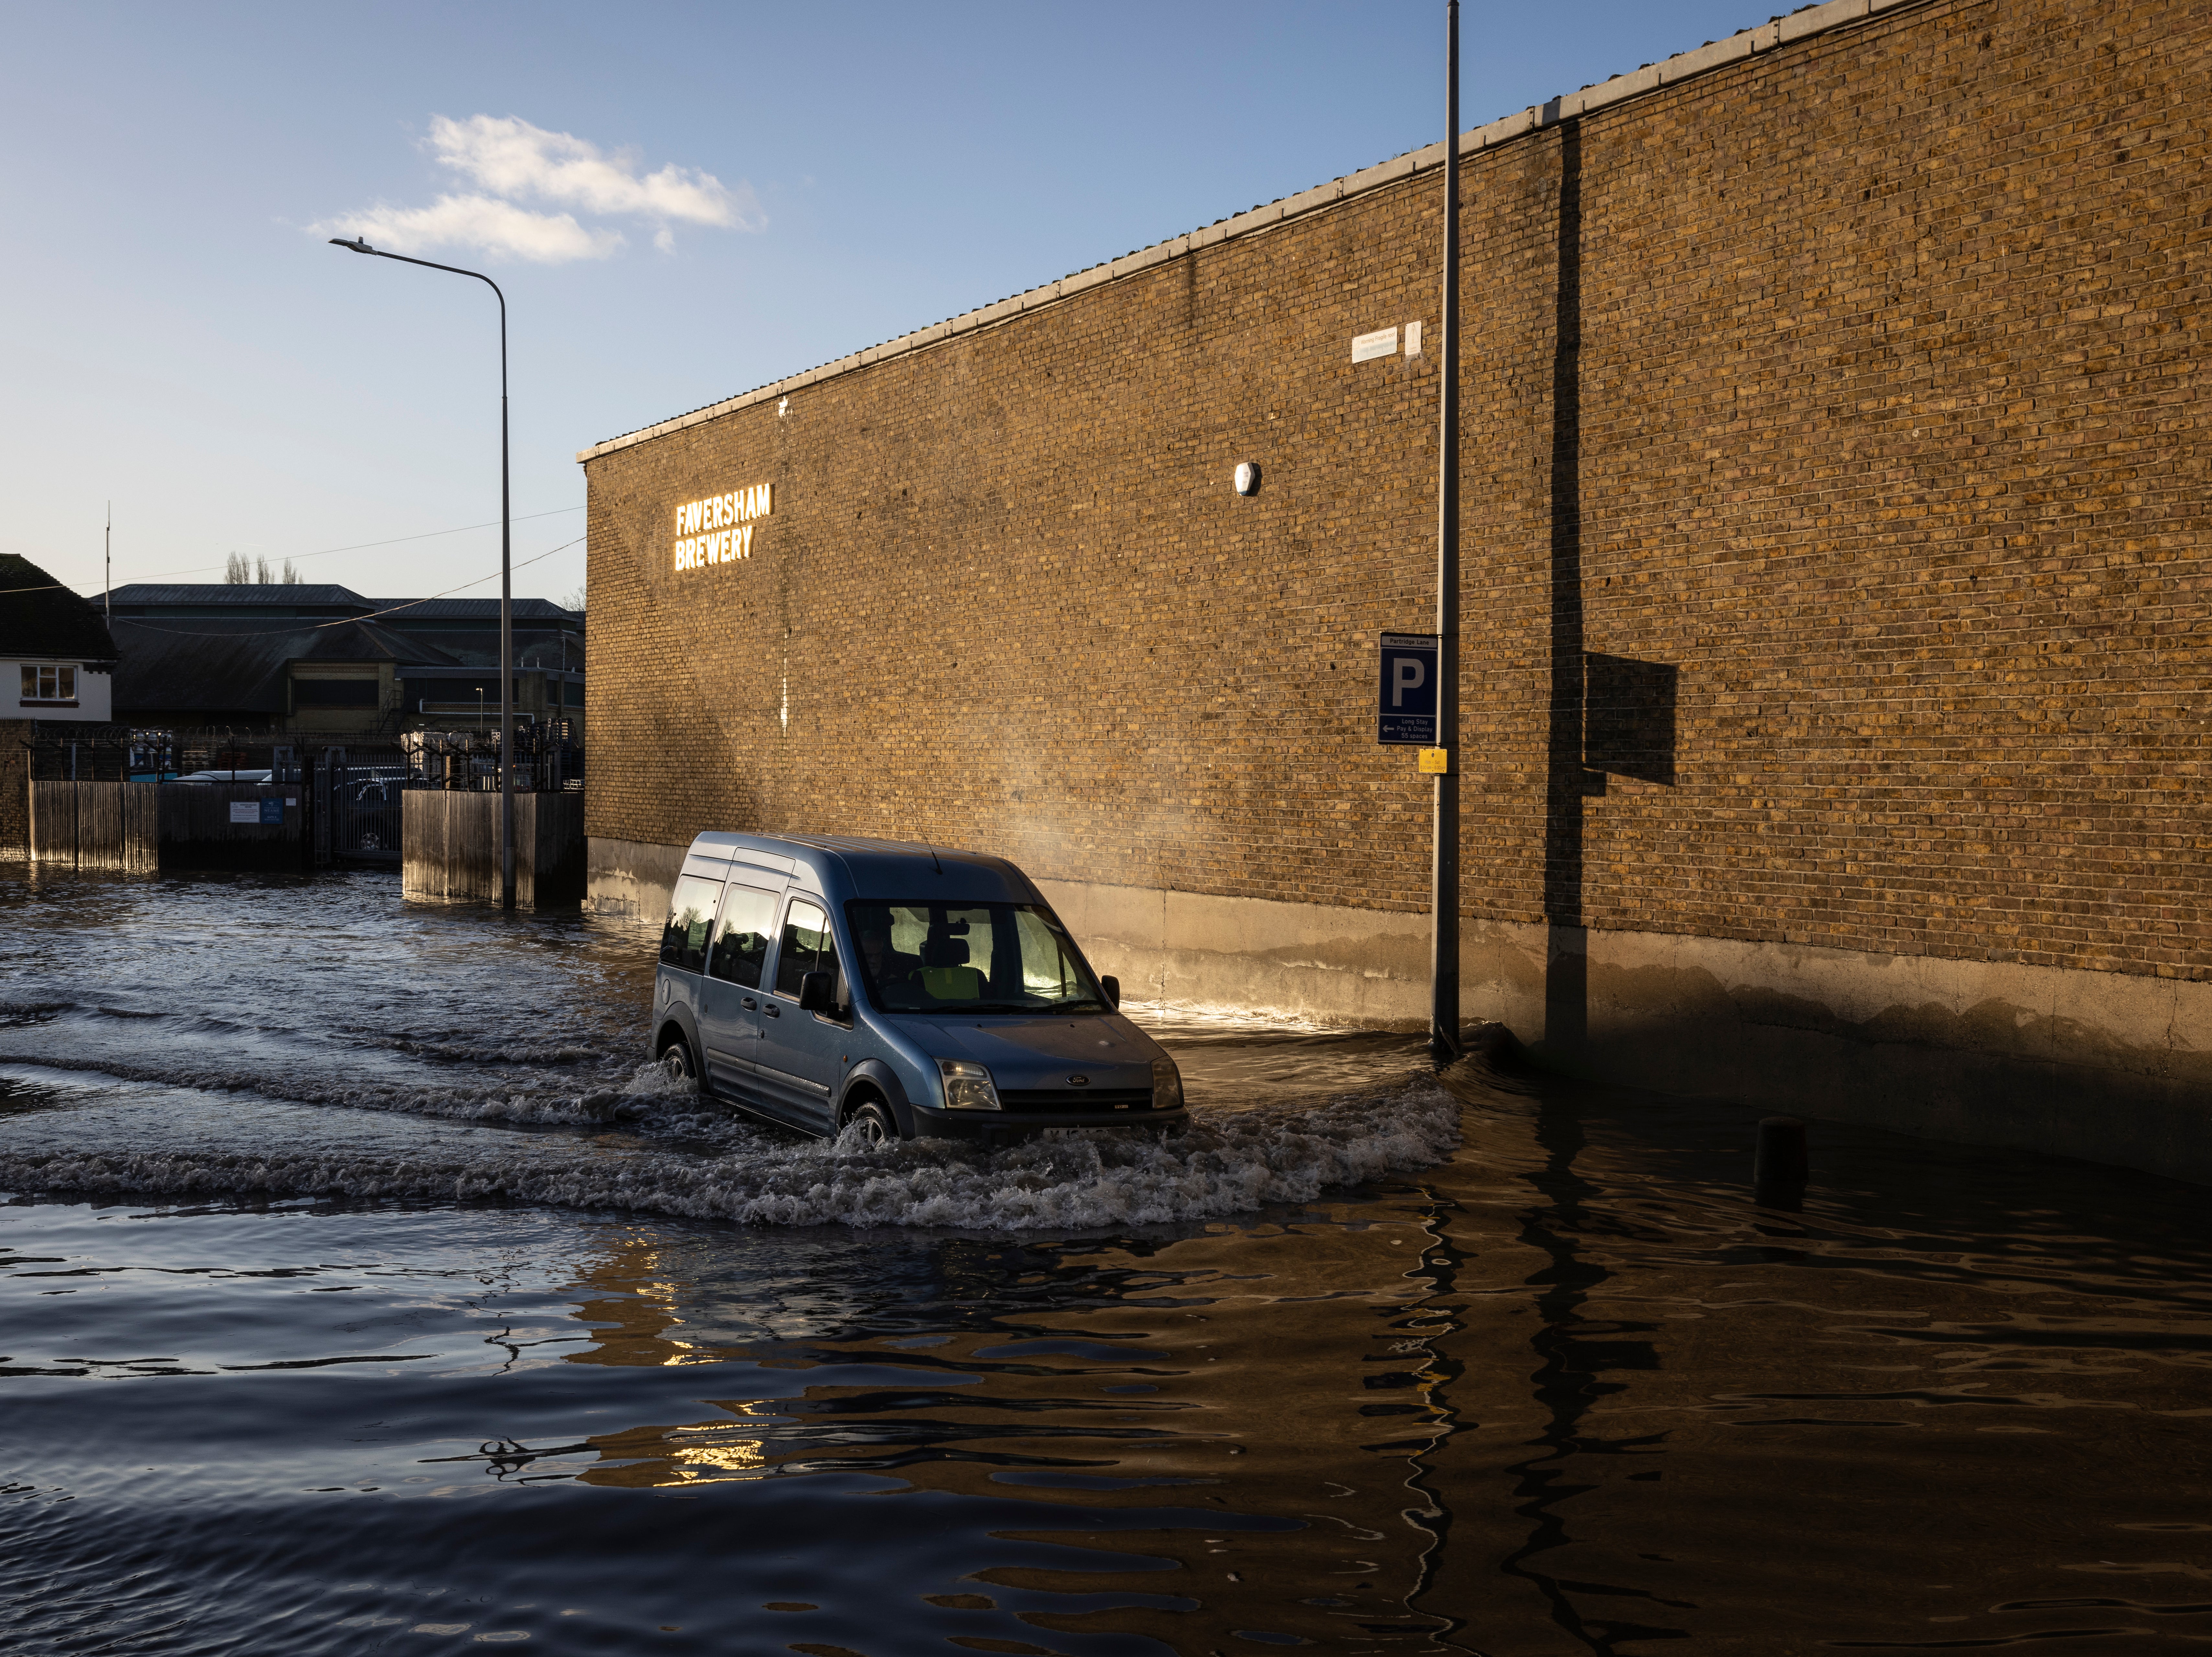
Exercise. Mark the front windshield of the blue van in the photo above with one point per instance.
(970, 959)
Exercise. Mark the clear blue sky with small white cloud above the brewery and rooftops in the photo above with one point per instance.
(680, 202)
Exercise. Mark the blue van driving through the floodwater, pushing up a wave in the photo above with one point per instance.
(899, 990)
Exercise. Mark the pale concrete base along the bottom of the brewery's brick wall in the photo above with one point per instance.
(2109, 1067)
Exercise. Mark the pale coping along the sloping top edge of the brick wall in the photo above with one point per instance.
(1715, 54)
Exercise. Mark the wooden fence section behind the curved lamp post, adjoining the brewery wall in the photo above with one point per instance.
(450, 848)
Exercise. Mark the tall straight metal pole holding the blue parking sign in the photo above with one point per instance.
(1446, 899)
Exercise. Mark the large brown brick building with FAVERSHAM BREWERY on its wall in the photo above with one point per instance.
(1835, 585)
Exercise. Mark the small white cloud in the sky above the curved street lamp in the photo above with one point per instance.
(510, 160)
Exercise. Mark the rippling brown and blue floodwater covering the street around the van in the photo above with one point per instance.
(364, 1293)
